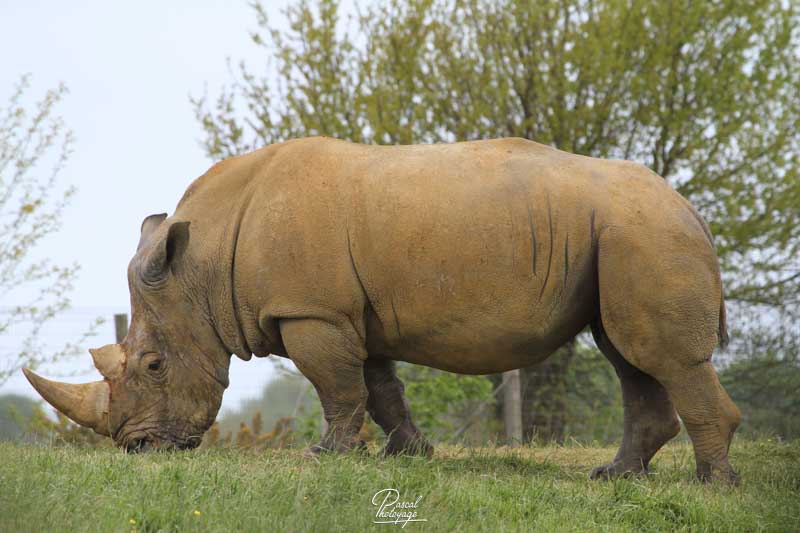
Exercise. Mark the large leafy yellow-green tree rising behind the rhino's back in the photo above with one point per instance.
(703, 93)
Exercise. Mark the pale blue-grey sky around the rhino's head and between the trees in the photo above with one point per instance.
(130, 68)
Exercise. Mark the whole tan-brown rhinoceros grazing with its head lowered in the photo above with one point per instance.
(473, 257)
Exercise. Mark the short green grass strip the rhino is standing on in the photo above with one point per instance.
(489, 489)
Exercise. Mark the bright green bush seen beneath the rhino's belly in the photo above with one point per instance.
(442, 403)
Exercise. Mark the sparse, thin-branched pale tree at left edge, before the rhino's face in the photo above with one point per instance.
(34, 147)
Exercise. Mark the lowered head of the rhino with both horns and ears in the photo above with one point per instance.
(163, 384)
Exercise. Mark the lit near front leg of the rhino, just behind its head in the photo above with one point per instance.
(332, 358)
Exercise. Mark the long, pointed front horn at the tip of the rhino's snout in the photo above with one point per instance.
(86, 403)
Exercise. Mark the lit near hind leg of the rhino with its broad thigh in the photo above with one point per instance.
(660, 305)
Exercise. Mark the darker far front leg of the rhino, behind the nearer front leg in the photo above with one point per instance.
(388, 407)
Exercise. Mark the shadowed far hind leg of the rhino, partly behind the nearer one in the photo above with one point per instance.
(650, 418)
